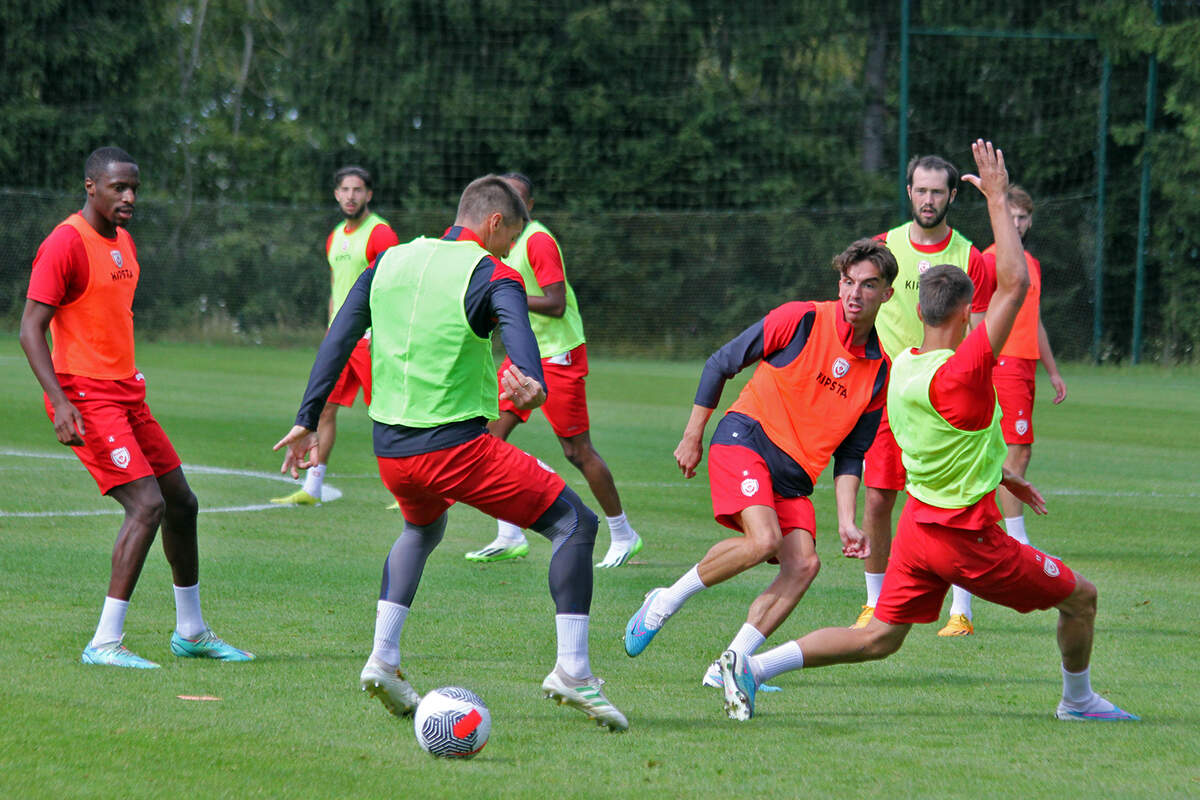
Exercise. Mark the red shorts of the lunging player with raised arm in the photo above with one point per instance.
(927, 560)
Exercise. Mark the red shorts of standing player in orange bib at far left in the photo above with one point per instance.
(122, 441)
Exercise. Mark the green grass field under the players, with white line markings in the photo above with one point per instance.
(965, 718)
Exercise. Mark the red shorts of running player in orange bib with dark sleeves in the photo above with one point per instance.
(739, 479)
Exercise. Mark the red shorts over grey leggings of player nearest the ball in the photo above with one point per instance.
(487, 473)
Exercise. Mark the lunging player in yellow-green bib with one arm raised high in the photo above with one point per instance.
(947, 423)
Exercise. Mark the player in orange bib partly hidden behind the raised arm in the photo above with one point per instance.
(1015, 375)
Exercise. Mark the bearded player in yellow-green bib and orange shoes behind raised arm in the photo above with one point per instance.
(917, 245)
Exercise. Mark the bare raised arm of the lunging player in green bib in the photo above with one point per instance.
(1012, 275)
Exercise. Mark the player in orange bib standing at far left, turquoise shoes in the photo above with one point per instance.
(82, 292)
